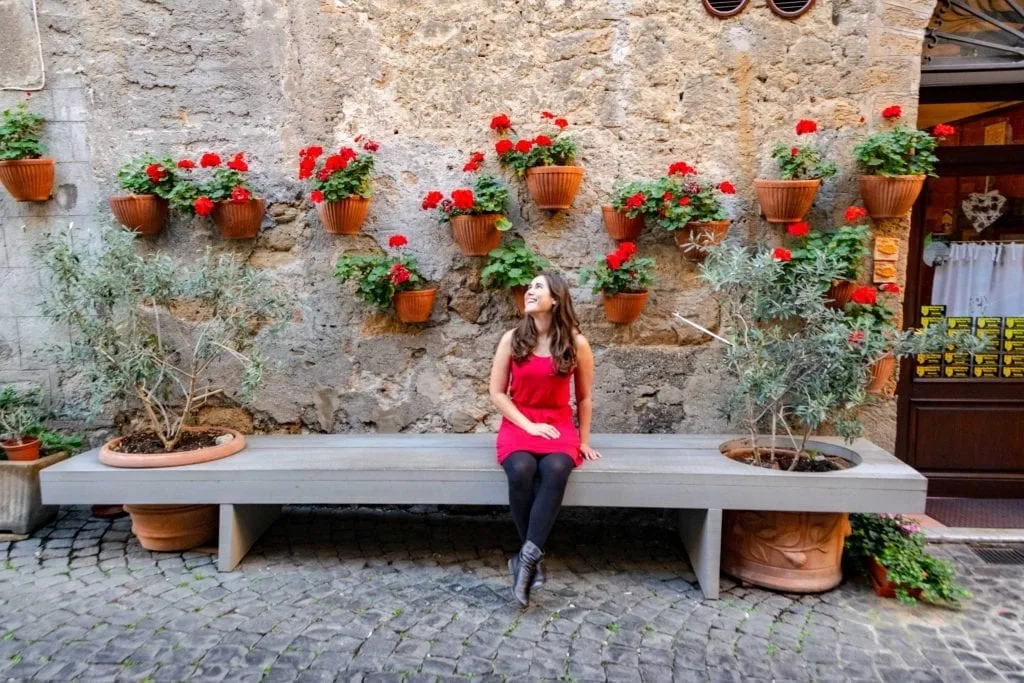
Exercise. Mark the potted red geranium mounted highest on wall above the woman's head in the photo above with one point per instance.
(547, 161)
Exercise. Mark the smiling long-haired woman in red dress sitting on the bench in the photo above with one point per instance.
(535, 369)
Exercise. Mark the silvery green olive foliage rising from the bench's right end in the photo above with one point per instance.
(799, 364)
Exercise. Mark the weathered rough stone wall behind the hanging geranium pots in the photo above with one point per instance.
(644, 83)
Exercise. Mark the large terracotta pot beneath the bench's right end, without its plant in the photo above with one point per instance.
(796, 552)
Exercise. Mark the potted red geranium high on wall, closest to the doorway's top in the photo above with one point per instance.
(894, 164)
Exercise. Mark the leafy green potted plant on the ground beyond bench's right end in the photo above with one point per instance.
(892, 550)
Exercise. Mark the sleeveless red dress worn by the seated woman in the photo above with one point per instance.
(543, 397)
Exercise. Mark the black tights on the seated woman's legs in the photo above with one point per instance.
(536, 506)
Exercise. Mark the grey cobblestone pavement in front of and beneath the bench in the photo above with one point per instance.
(393, 595)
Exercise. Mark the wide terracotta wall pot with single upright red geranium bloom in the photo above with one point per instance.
(801, 170)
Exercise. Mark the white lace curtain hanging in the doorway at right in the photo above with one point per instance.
(982, 279)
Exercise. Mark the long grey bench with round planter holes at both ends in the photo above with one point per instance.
(679, 472)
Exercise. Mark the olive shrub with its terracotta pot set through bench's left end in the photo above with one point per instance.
(165, 338)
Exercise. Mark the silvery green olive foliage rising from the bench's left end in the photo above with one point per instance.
(148, 328)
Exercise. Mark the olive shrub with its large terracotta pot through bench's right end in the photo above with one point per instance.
(798, 366)
